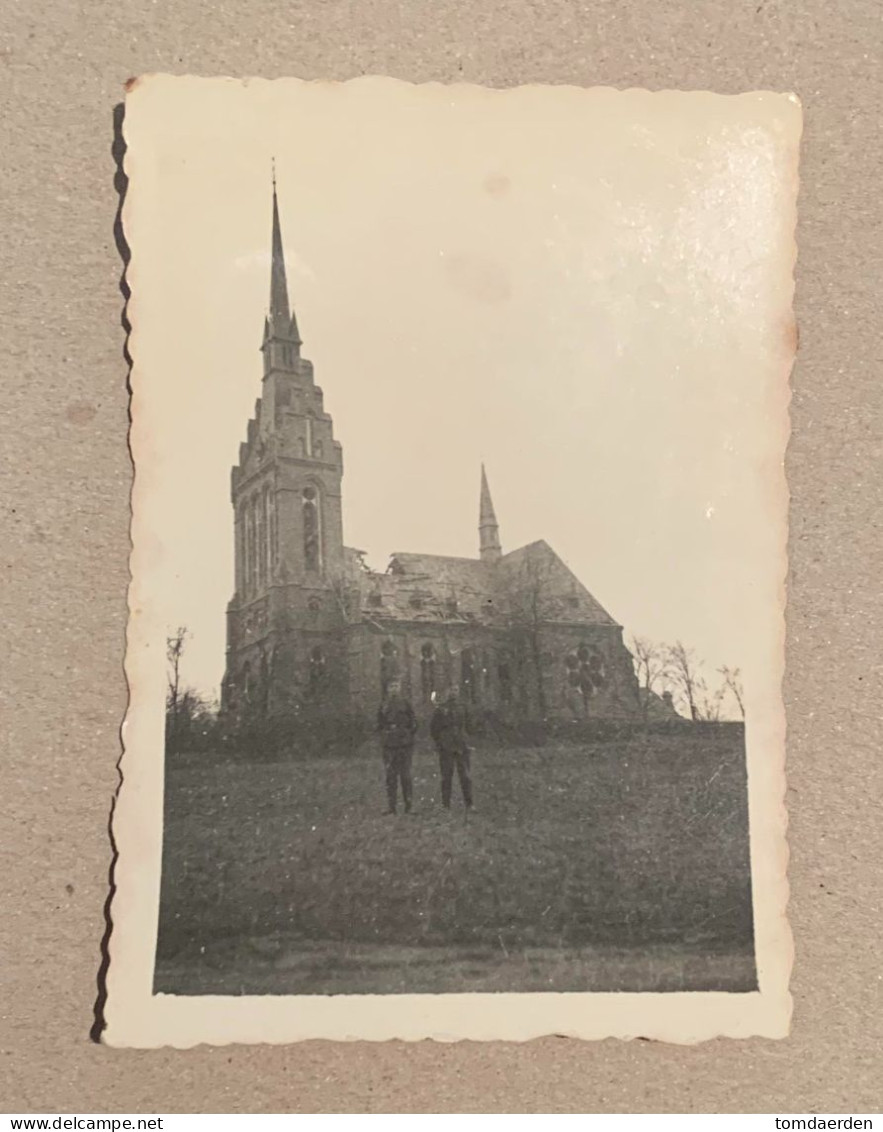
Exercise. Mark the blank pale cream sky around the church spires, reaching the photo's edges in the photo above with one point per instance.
(588, 291)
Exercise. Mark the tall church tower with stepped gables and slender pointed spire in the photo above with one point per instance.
(286, 493)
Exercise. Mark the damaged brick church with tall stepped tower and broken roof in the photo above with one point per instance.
(311, 624)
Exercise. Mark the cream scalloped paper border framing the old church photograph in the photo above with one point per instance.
(138, 1018)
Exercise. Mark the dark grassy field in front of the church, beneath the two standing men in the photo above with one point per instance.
(618, 867)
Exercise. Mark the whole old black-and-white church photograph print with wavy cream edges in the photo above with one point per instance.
(459, 421)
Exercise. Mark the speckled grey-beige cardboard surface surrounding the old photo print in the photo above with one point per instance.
(65, 541)
